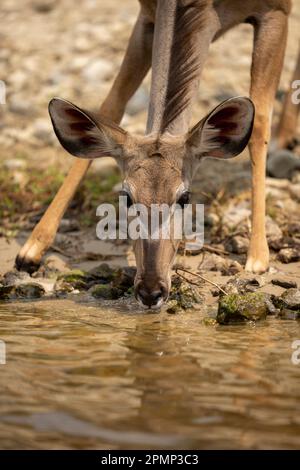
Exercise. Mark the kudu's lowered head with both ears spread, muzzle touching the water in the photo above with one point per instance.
(156, 170)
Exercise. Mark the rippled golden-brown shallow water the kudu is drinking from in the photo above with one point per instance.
(85, 375)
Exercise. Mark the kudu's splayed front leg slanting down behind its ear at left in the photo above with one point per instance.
(135, 65)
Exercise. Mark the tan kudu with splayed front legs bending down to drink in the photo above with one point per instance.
(173, 36)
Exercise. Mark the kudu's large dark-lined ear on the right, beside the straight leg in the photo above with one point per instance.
(225, 132)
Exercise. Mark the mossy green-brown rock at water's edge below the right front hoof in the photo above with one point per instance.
(235, 308)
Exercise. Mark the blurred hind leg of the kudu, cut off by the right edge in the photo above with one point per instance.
(287, 127)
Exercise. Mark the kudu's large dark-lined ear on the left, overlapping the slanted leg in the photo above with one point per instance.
(82, 135)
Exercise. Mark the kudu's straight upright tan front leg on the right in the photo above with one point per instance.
(268, 54)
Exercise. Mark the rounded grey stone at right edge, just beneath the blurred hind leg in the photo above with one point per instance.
(282, 164)
